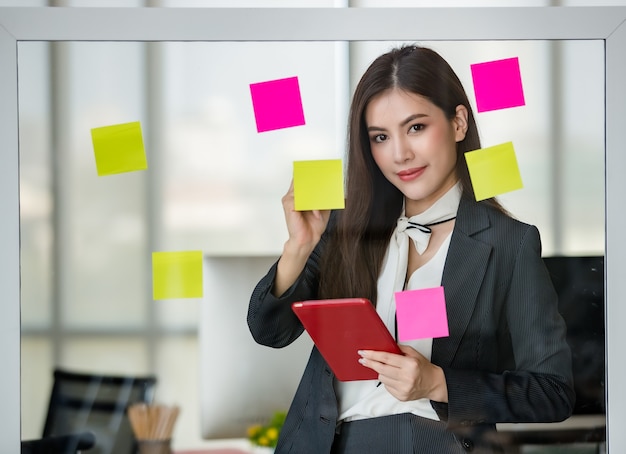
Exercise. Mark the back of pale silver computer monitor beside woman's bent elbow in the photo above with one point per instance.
(241, 382)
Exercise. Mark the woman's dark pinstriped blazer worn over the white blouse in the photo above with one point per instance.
(506, 358)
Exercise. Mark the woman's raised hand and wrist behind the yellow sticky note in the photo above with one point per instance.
(305, 229)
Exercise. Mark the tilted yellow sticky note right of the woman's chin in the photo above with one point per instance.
(493, 170)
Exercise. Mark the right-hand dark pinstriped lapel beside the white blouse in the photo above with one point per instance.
(463, 274)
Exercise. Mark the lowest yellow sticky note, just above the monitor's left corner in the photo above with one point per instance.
(177, 275)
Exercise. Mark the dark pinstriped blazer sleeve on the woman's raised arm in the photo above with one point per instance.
(271, 320)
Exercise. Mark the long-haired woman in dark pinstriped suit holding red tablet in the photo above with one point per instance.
(505, 360)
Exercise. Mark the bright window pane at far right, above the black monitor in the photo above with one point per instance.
(581, 118)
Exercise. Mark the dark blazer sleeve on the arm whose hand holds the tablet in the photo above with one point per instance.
(537, 385)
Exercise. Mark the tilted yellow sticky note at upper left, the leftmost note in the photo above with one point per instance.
(119, 148)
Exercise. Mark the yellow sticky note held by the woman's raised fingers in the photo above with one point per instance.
(318, 185)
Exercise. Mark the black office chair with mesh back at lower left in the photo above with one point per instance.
(93, 402)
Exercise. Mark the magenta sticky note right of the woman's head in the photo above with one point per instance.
(497, 84)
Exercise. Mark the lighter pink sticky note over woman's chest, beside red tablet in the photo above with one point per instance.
(421, 314)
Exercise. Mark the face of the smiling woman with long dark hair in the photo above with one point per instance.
(414, 145)
